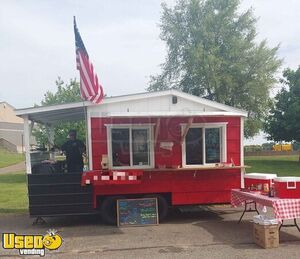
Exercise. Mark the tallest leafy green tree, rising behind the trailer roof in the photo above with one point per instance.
(212, 52)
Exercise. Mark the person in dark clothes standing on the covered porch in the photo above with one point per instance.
(74, 150)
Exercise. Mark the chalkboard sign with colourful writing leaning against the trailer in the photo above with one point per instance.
(137, 212)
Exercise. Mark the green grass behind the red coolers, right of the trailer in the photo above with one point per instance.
(281, 165)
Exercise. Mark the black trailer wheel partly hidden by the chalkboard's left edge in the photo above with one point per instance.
(108, 209)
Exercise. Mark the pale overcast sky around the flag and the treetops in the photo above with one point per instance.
(121, 37)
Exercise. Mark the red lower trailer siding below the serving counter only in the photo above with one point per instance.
(185, 187)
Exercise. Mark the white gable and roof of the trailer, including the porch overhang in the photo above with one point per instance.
(155, 104)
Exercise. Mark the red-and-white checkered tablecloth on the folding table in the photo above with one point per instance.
(283, 208)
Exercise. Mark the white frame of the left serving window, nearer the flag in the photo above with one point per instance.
(148, 126)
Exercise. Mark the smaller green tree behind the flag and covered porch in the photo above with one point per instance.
(65, 93)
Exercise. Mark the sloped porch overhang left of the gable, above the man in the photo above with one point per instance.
(55, 113)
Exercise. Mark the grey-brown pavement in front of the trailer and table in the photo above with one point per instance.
(190, 233)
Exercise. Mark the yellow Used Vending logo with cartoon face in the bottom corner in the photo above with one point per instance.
(32, 244)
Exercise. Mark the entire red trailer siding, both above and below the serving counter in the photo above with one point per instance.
(190, 186)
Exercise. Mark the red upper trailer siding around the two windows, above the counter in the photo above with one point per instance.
(169, 130)
